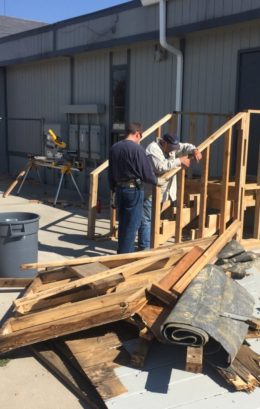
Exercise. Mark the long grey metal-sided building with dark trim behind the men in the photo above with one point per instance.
(88, 76)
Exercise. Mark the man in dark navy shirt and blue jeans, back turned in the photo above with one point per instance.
(128, 169)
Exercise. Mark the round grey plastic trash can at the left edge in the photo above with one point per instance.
(18, 243)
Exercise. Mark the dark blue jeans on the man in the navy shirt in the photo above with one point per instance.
(130, 207)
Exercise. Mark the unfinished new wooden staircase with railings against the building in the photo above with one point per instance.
(204, 205)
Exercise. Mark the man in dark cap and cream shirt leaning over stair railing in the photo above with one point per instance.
(164, 154)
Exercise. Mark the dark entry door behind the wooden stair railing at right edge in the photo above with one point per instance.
(249, 98)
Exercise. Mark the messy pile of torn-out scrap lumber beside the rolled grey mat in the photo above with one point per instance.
(77, 314)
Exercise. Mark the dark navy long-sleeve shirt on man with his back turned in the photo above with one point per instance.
(128, 161)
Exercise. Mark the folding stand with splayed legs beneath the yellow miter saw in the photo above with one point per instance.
(65, 169)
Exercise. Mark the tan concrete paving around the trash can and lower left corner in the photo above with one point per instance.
(25, 383)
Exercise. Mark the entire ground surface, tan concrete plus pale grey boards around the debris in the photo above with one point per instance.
(24, 383)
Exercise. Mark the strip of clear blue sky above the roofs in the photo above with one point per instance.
(50, 11)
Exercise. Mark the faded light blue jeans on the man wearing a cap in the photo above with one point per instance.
(144, 232)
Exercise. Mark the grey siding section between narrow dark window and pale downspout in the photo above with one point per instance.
(152, 85)
